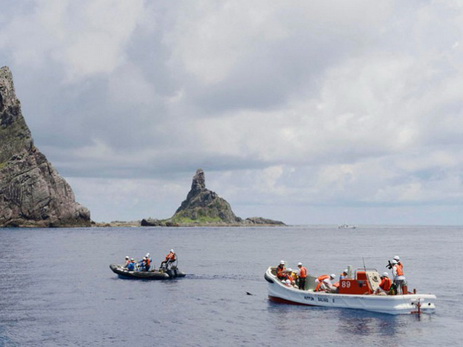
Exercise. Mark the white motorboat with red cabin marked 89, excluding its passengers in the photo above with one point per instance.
(355, 293)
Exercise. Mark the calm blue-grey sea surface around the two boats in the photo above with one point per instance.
(57, 288)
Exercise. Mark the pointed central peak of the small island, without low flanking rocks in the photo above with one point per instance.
(204, 206)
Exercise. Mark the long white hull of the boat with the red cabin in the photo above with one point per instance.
(390, 304)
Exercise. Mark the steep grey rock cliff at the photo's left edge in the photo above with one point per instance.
(32, 193)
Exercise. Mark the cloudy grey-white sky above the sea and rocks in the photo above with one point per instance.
(308, 112)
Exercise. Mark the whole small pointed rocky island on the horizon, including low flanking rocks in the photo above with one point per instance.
(203, 207)
